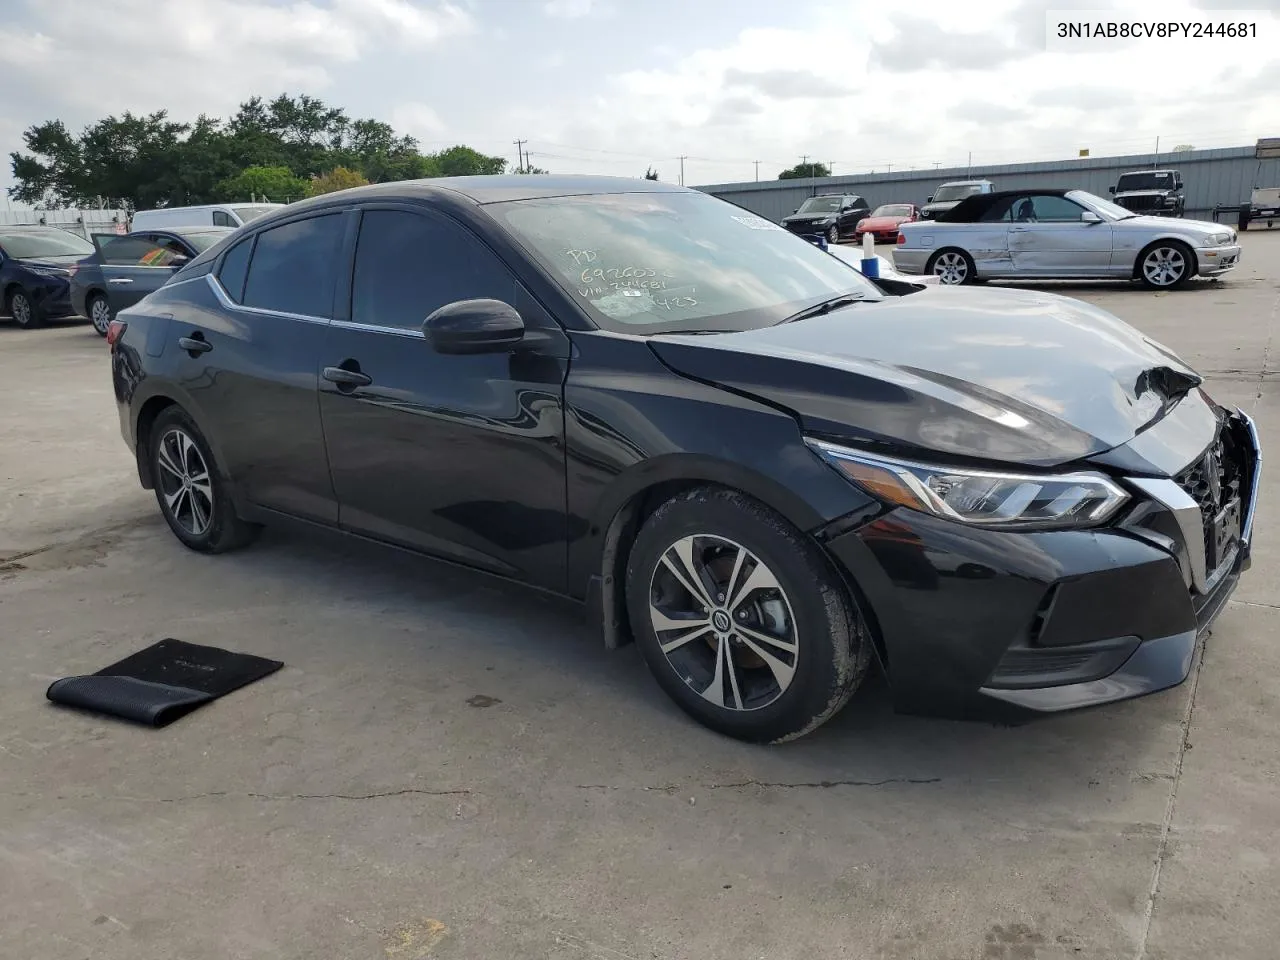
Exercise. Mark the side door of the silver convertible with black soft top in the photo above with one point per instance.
(1048, 239)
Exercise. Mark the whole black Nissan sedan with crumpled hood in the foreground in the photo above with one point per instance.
(730, 446)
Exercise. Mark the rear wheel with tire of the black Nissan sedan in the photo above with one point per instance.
(193, 497)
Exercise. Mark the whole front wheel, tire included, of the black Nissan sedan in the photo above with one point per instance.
(742, 619)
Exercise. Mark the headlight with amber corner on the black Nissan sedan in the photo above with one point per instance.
(980, 497)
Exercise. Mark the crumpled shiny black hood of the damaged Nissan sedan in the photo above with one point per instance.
(1014, 377)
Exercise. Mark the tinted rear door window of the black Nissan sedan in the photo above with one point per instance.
(295, 266)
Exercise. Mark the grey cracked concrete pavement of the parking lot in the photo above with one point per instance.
(449, 767)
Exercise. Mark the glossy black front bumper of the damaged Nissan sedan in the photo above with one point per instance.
(979, 623)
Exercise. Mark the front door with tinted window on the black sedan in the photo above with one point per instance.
(459, 456)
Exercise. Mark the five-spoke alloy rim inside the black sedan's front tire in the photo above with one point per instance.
(724, 623)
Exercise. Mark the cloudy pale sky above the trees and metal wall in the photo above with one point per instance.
(615, 86)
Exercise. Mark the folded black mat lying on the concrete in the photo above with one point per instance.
(163, 683)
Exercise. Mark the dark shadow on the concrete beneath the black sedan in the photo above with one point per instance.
(551, 656)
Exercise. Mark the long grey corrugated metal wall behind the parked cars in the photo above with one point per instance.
(1212, 179)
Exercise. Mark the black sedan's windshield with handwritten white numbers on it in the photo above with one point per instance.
(671, 263)
